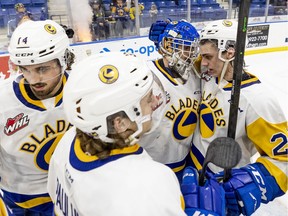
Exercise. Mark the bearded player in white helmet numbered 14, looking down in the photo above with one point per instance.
(32, 116)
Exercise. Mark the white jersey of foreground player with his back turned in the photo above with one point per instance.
(127, 183)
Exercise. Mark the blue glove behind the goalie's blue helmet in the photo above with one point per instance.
(157, 29)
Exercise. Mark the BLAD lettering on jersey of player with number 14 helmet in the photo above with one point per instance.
(49, 131)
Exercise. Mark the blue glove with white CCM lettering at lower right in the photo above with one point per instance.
(248, 187)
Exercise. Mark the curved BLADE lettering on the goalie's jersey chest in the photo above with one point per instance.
(188, 103)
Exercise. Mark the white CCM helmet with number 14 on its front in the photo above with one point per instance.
(35, 42)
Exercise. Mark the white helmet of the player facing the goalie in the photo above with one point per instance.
(224, 31)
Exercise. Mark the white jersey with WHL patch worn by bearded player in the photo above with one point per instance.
(30, 129)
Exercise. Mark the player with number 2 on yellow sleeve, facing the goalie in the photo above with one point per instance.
(261, 124)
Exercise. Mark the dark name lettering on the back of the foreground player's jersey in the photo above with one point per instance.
(63, 203)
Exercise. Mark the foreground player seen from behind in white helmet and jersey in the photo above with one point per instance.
(98, 168)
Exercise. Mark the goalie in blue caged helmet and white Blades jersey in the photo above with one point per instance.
(170, 142)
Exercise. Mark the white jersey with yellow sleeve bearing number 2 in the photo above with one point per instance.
(261, 125)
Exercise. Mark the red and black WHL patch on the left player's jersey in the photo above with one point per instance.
(15, 124)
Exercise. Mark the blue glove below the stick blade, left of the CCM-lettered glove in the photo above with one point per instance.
(202, 200)
